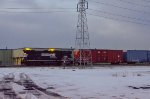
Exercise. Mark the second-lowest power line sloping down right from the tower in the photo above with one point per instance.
(118, 15)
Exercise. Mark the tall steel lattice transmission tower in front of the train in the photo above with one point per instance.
(82, 35)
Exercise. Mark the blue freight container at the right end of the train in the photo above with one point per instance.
(138, 56)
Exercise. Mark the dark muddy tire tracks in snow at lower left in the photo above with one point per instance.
(24, 88)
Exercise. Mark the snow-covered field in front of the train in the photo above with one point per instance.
(96, 83)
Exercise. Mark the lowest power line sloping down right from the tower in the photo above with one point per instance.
(117, 19)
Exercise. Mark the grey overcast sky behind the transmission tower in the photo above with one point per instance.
(58, 29)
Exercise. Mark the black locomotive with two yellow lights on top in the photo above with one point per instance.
(46, 57)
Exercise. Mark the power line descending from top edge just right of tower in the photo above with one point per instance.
(125, 8)
